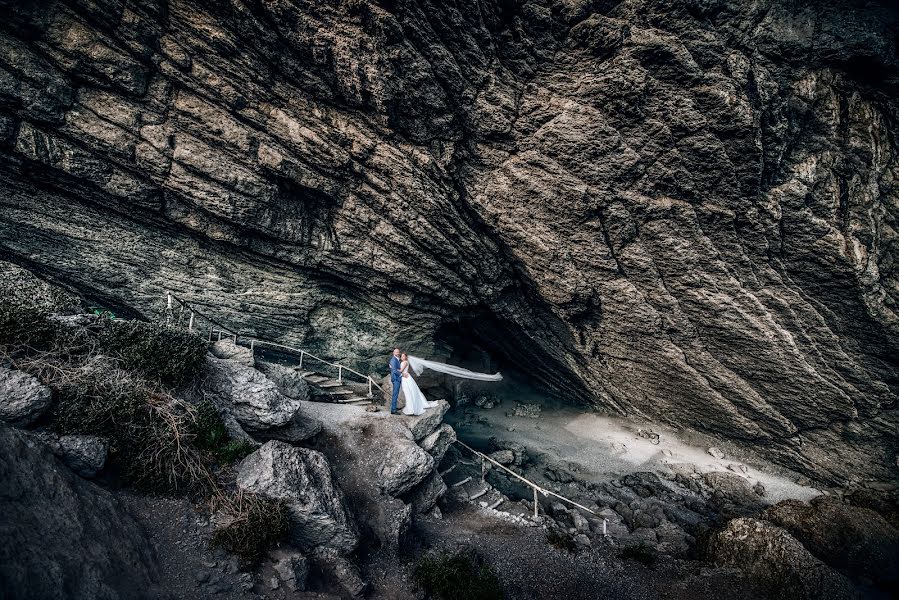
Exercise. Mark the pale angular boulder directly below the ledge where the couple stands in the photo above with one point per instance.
(405, 464)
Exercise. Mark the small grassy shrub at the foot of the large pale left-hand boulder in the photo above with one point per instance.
(253, 525)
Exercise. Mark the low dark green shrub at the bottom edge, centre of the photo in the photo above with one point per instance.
(460, 576)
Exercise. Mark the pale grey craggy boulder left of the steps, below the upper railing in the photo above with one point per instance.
(249, 396)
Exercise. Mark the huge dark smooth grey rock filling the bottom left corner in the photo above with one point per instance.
(63, 535)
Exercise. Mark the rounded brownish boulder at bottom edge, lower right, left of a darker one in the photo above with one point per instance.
(775, 558)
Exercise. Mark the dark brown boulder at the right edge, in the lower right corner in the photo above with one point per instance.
(855, 540)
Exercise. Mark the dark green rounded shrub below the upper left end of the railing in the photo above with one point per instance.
(168, 354)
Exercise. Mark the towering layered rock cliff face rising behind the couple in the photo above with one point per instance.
(680, 209)
